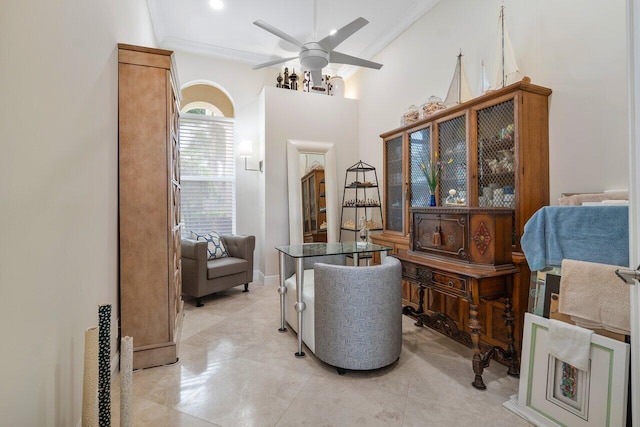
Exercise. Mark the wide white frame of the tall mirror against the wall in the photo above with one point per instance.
(294, 150)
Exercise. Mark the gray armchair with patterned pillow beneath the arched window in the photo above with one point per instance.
(202, 277)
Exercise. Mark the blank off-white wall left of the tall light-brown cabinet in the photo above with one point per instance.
(58, 168)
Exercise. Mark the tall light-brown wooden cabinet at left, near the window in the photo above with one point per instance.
(149, 204)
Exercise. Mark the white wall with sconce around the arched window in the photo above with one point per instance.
(243, 85)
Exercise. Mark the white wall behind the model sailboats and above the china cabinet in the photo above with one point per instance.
(575, 47)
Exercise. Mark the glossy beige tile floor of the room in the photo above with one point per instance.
(236, 369)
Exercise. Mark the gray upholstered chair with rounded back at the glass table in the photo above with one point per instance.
(358, 315)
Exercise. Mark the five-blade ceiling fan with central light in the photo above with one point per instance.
(316, 55)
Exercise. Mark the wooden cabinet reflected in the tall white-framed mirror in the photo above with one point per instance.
(314, 207)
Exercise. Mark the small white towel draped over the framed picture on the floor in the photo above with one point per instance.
(570, 343)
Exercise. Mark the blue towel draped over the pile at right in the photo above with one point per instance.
(584, 233)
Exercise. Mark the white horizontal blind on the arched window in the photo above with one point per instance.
(207, 174)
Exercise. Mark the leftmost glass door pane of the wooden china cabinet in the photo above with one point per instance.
(393, 183)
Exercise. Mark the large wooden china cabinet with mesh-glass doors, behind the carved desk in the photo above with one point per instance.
(494, 149)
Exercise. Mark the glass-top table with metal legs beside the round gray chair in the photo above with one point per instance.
(301, 251)
